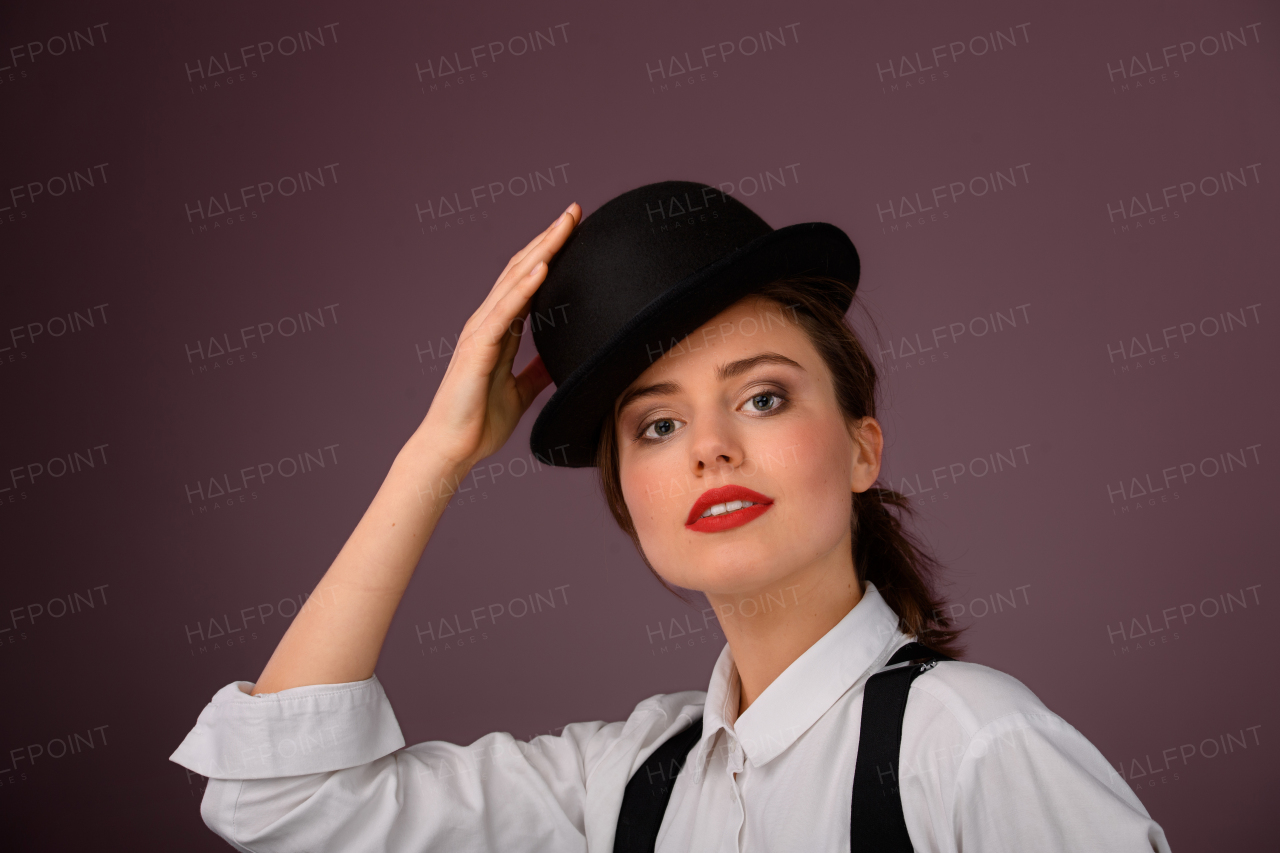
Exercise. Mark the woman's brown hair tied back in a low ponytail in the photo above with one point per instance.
(885, 551)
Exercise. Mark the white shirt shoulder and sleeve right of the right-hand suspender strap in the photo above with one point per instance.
(993, 769)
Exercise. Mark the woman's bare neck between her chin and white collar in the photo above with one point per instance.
(770, 628)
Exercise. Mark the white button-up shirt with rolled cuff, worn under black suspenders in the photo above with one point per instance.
(985, 768)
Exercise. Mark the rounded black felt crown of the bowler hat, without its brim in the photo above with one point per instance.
(625, 256)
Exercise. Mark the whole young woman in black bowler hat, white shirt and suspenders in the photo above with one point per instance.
(707, 370)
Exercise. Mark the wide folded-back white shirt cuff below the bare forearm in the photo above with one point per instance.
(303, 731)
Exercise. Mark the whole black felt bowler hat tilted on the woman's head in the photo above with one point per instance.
(642, 273)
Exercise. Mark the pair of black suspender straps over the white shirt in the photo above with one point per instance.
(876, 818)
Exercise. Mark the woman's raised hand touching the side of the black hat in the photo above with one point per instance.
(481, 400)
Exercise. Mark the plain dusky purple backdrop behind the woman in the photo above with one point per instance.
(1092, 564)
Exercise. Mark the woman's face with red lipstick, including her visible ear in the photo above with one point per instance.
(744, 410)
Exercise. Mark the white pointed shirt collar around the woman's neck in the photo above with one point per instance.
(857, 646)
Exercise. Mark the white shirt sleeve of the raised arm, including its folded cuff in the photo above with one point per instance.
(324, 768)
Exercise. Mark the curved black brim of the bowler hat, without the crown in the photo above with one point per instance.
(568, 430)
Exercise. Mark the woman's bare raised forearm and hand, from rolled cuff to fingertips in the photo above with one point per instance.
(339, 636)
